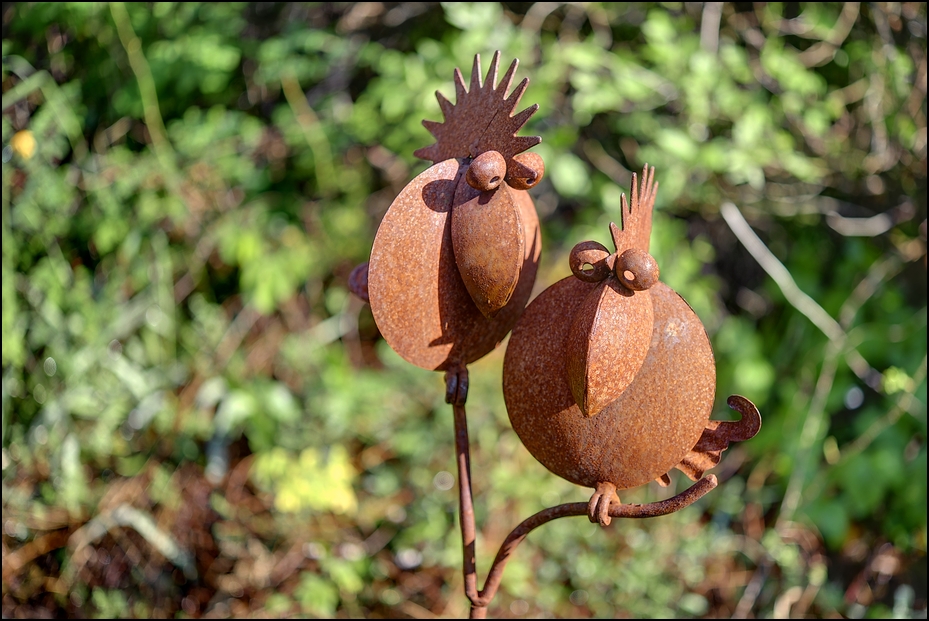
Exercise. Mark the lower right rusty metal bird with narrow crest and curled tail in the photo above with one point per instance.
(603, 394)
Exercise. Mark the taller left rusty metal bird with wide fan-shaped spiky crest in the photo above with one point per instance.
(455, 257)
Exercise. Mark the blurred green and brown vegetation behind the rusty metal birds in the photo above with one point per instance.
(198, 420)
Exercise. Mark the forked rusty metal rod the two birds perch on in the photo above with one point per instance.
(480, 600)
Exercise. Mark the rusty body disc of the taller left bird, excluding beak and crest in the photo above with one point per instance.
(418, 299)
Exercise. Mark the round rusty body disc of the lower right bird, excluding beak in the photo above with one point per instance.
(641, 435)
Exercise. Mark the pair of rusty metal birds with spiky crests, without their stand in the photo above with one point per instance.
(609, 378)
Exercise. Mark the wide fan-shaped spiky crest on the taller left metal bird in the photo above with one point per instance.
(480, 120)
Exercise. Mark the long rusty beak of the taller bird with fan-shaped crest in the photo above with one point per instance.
(488, 243)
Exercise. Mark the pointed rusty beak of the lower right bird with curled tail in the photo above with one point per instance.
(607, 344)
